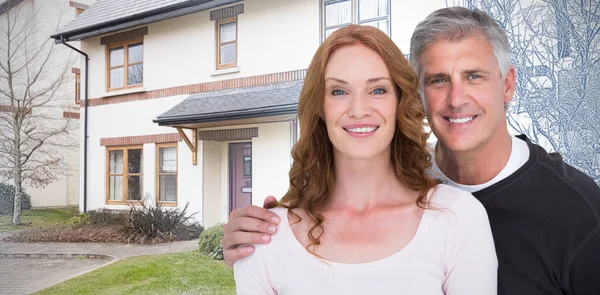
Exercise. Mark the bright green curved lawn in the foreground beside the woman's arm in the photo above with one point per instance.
(179, 273)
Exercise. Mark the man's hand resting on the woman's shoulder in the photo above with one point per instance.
(248, 225)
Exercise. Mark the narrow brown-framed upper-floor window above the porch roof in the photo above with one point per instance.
(227, 43)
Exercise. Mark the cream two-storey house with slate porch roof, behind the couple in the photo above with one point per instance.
(195, 101)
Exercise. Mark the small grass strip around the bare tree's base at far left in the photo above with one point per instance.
(36, 218)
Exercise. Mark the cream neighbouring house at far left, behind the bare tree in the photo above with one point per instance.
(44, 17)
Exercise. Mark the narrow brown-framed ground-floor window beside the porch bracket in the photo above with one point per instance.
(166, 173)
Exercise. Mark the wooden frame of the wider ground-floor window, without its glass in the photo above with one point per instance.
(125, 173)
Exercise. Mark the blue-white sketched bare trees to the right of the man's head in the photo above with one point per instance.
(555, 48)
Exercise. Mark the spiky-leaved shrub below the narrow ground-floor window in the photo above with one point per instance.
(146, 224)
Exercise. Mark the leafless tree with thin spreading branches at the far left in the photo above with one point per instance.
(33, 131)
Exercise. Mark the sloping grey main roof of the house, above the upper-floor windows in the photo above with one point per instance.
(105, 16)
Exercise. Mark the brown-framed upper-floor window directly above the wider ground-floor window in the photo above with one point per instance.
(125, 65)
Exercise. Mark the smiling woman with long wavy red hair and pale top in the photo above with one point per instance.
(361, 215)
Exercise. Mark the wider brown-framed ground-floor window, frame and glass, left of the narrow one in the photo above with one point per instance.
(124, 174)
